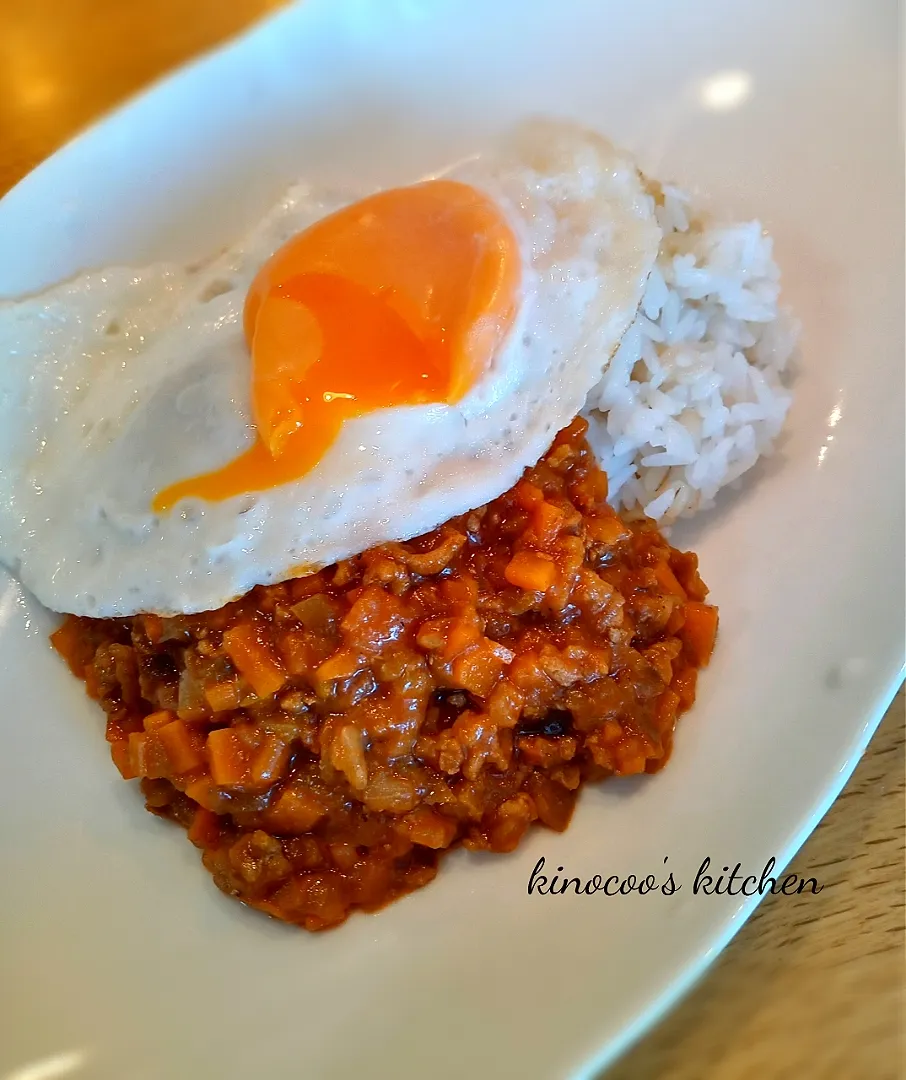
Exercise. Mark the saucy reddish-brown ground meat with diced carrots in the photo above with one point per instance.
(327, 739)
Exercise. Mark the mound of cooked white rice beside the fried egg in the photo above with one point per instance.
(695, 395)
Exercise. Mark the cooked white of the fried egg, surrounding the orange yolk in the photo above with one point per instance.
(120, 383)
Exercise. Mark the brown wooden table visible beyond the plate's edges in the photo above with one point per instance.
(810, 988)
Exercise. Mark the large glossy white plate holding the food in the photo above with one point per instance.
(119, 956)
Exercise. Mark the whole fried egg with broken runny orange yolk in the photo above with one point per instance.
(358, 369)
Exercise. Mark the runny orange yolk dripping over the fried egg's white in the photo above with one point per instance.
(399, 300)
